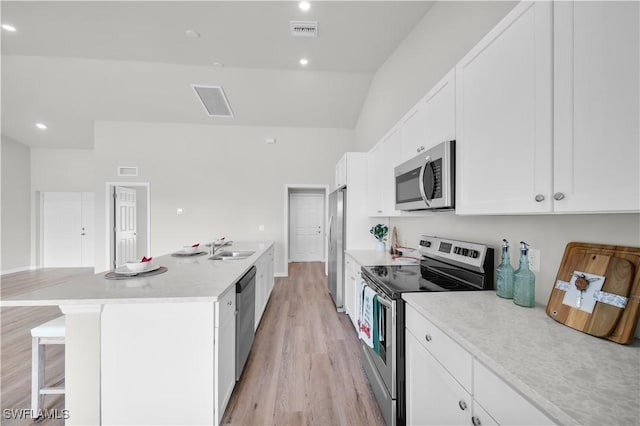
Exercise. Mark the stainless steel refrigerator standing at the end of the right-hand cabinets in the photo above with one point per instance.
(337, 203)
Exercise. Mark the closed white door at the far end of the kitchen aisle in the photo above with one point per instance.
(306, 227)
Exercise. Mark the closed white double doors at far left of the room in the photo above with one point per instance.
(67, 229)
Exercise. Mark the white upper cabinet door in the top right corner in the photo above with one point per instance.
(596, 103)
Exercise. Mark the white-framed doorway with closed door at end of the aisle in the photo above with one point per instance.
(305, 223)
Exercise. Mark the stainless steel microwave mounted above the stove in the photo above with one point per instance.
(427, 181)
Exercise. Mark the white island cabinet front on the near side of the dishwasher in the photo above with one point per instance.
(225, 353)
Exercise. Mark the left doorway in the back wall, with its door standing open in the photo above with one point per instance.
(128, 224)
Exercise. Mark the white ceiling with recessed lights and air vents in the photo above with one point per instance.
(72, 63)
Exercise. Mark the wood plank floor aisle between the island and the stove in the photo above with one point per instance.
(304, 367)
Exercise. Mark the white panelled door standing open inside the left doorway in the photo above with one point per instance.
(125, 225)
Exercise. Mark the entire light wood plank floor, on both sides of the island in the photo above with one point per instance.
(304, 366)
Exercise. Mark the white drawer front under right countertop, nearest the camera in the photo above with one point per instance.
(503, 402)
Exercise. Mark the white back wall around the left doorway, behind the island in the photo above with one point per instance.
(227, 180)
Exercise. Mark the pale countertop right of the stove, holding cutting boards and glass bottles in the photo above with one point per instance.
(575, 377)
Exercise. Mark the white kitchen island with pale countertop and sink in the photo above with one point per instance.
(149, 350)
